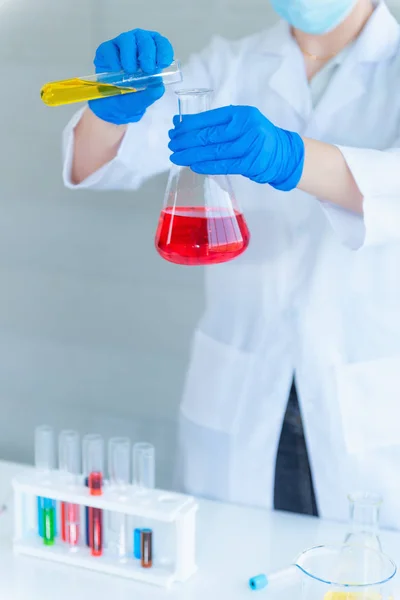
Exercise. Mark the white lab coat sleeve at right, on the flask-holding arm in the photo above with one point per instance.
(377, 174)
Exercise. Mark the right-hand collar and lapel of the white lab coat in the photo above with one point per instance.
(378, 41)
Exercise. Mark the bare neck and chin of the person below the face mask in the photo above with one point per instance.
(324, 47)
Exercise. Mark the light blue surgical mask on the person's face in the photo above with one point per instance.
(314, 16)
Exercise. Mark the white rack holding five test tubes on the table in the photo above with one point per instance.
(178, 510)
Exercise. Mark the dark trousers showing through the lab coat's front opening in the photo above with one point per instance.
(294, 489)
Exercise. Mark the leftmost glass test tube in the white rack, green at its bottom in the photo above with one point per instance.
(45, 463)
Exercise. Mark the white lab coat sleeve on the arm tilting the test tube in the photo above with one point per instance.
(144, 152)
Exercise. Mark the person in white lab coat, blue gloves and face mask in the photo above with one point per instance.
(307, 115)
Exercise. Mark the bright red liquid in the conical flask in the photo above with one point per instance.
(201, 236)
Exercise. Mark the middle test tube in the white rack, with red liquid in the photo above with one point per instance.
(93, 452)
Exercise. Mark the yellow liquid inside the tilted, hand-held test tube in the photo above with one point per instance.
(74, 90)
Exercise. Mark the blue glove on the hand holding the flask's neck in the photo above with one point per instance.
(238, 140)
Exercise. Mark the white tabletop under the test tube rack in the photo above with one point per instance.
(234, 543)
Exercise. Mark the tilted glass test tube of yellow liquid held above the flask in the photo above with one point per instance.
(103, 85)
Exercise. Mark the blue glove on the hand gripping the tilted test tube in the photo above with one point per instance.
(130, 52)
